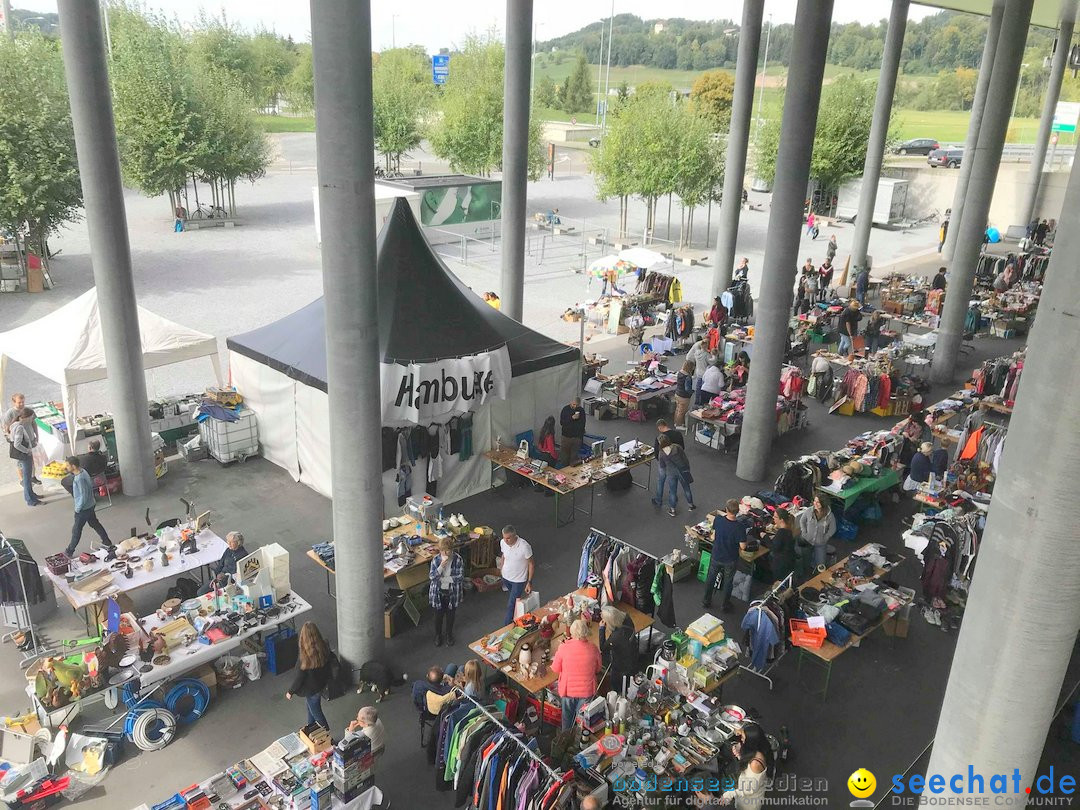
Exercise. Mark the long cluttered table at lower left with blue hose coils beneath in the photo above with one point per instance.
(152, 674)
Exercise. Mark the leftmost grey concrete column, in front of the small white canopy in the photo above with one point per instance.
(96, 141)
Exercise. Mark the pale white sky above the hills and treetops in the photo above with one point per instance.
(438, 24)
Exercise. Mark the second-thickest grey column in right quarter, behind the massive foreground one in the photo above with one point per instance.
(984, 175)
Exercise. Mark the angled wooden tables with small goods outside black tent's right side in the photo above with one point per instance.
(585, 476)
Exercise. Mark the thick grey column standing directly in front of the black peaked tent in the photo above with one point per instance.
(342, 47)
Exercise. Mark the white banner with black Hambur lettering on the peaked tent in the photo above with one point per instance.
(422, 394)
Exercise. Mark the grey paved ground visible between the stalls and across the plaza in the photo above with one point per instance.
(884, 698)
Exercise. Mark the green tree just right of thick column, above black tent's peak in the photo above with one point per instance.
(402, 98)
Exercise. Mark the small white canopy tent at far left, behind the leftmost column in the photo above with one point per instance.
(66, 346)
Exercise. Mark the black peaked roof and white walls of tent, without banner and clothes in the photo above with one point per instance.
(426, 315)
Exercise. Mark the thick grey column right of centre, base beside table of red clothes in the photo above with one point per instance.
(813, 22)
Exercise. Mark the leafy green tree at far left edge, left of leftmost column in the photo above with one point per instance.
(39, 173)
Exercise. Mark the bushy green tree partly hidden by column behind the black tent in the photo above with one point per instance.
(469, 136)
